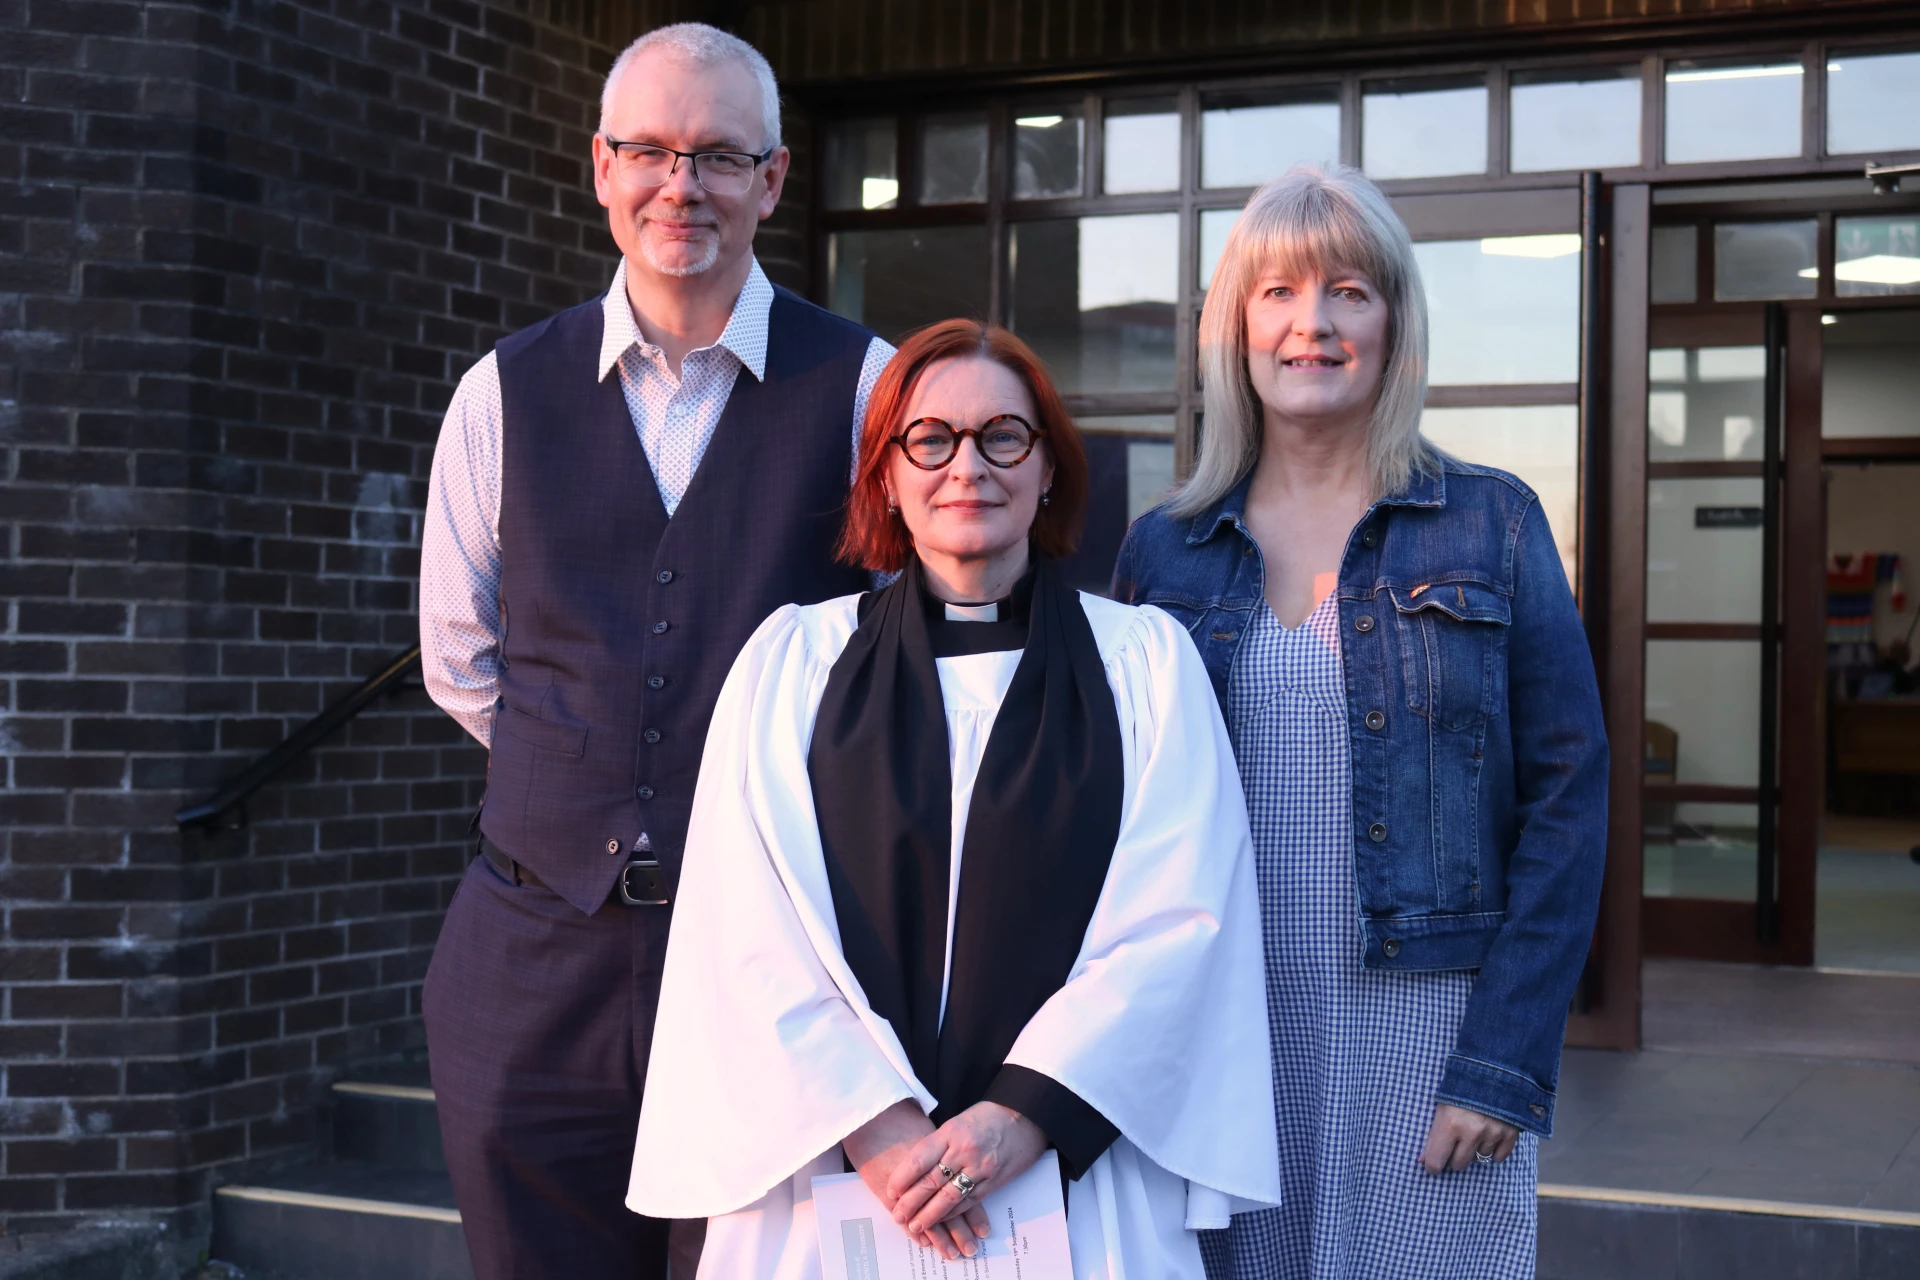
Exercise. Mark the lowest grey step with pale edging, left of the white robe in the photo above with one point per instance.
(345, 1221)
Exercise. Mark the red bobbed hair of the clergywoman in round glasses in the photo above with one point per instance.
(876, 538)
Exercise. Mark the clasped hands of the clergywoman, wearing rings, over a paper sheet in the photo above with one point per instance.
(900, 1156)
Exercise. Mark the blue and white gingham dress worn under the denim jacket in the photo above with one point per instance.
(1356, 1053)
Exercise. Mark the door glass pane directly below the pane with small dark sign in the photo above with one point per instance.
(1710, 696)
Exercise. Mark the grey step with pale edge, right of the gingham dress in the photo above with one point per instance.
(1616, 1235)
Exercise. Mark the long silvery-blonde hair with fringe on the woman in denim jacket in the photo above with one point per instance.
(1322, 220)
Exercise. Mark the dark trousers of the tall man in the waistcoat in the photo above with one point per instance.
(539, 1024)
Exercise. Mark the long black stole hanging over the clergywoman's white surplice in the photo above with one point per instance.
(1040, 834)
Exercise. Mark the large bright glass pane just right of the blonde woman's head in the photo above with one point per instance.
(1502, 310)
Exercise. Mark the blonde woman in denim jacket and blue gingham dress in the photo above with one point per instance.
(1414, 711)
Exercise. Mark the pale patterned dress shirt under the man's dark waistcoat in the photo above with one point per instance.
(675, 419)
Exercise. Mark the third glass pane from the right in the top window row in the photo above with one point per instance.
(1587, 122)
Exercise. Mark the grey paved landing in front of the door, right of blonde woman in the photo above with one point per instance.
(1758, 1083)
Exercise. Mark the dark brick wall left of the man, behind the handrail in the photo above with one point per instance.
(245, 254)
